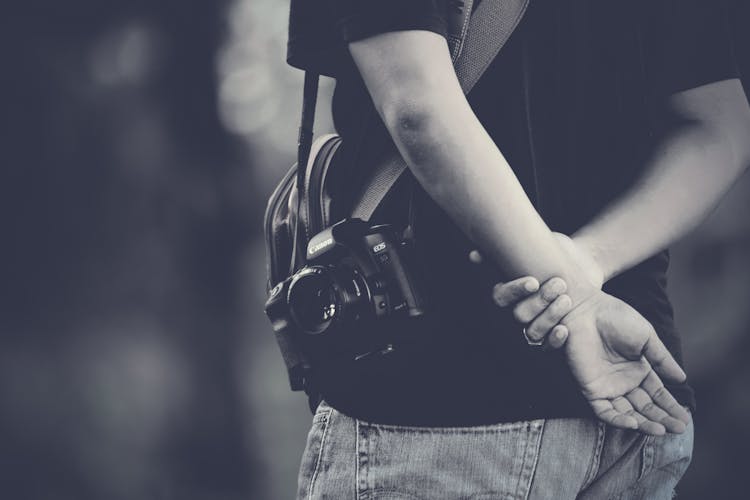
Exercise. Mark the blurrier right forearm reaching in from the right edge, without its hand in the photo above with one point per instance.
(686, 178)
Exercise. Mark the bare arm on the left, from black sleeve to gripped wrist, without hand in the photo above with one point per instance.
(420, 100)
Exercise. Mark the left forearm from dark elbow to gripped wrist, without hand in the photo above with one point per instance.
(459, 165)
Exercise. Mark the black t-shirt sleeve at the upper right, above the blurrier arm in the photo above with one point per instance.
(691, 45)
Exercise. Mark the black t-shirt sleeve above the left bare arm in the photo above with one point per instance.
(358, 19)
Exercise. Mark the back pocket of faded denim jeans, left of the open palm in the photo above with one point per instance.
(496, 461)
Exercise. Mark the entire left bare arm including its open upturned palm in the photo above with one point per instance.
(616, 357)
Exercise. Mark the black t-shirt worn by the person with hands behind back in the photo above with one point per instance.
(572, 101)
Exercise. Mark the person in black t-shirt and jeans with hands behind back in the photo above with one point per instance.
(601, 111)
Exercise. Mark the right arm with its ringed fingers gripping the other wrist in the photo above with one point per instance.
(698, 161)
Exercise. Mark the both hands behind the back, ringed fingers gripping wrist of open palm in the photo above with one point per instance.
(613, 352)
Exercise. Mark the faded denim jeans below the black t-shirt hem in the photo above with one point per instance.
(556, 459)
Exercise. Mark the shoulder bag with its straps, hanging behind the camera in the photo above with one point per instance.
(300, 206)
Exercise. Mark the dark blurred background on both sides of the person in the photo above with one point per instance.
(140, 142)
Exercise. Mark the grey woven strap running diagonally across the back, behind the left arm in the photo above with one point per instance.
(489, 29)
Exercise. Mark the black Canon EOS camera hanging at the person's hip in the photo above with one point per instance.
(356, 275)
